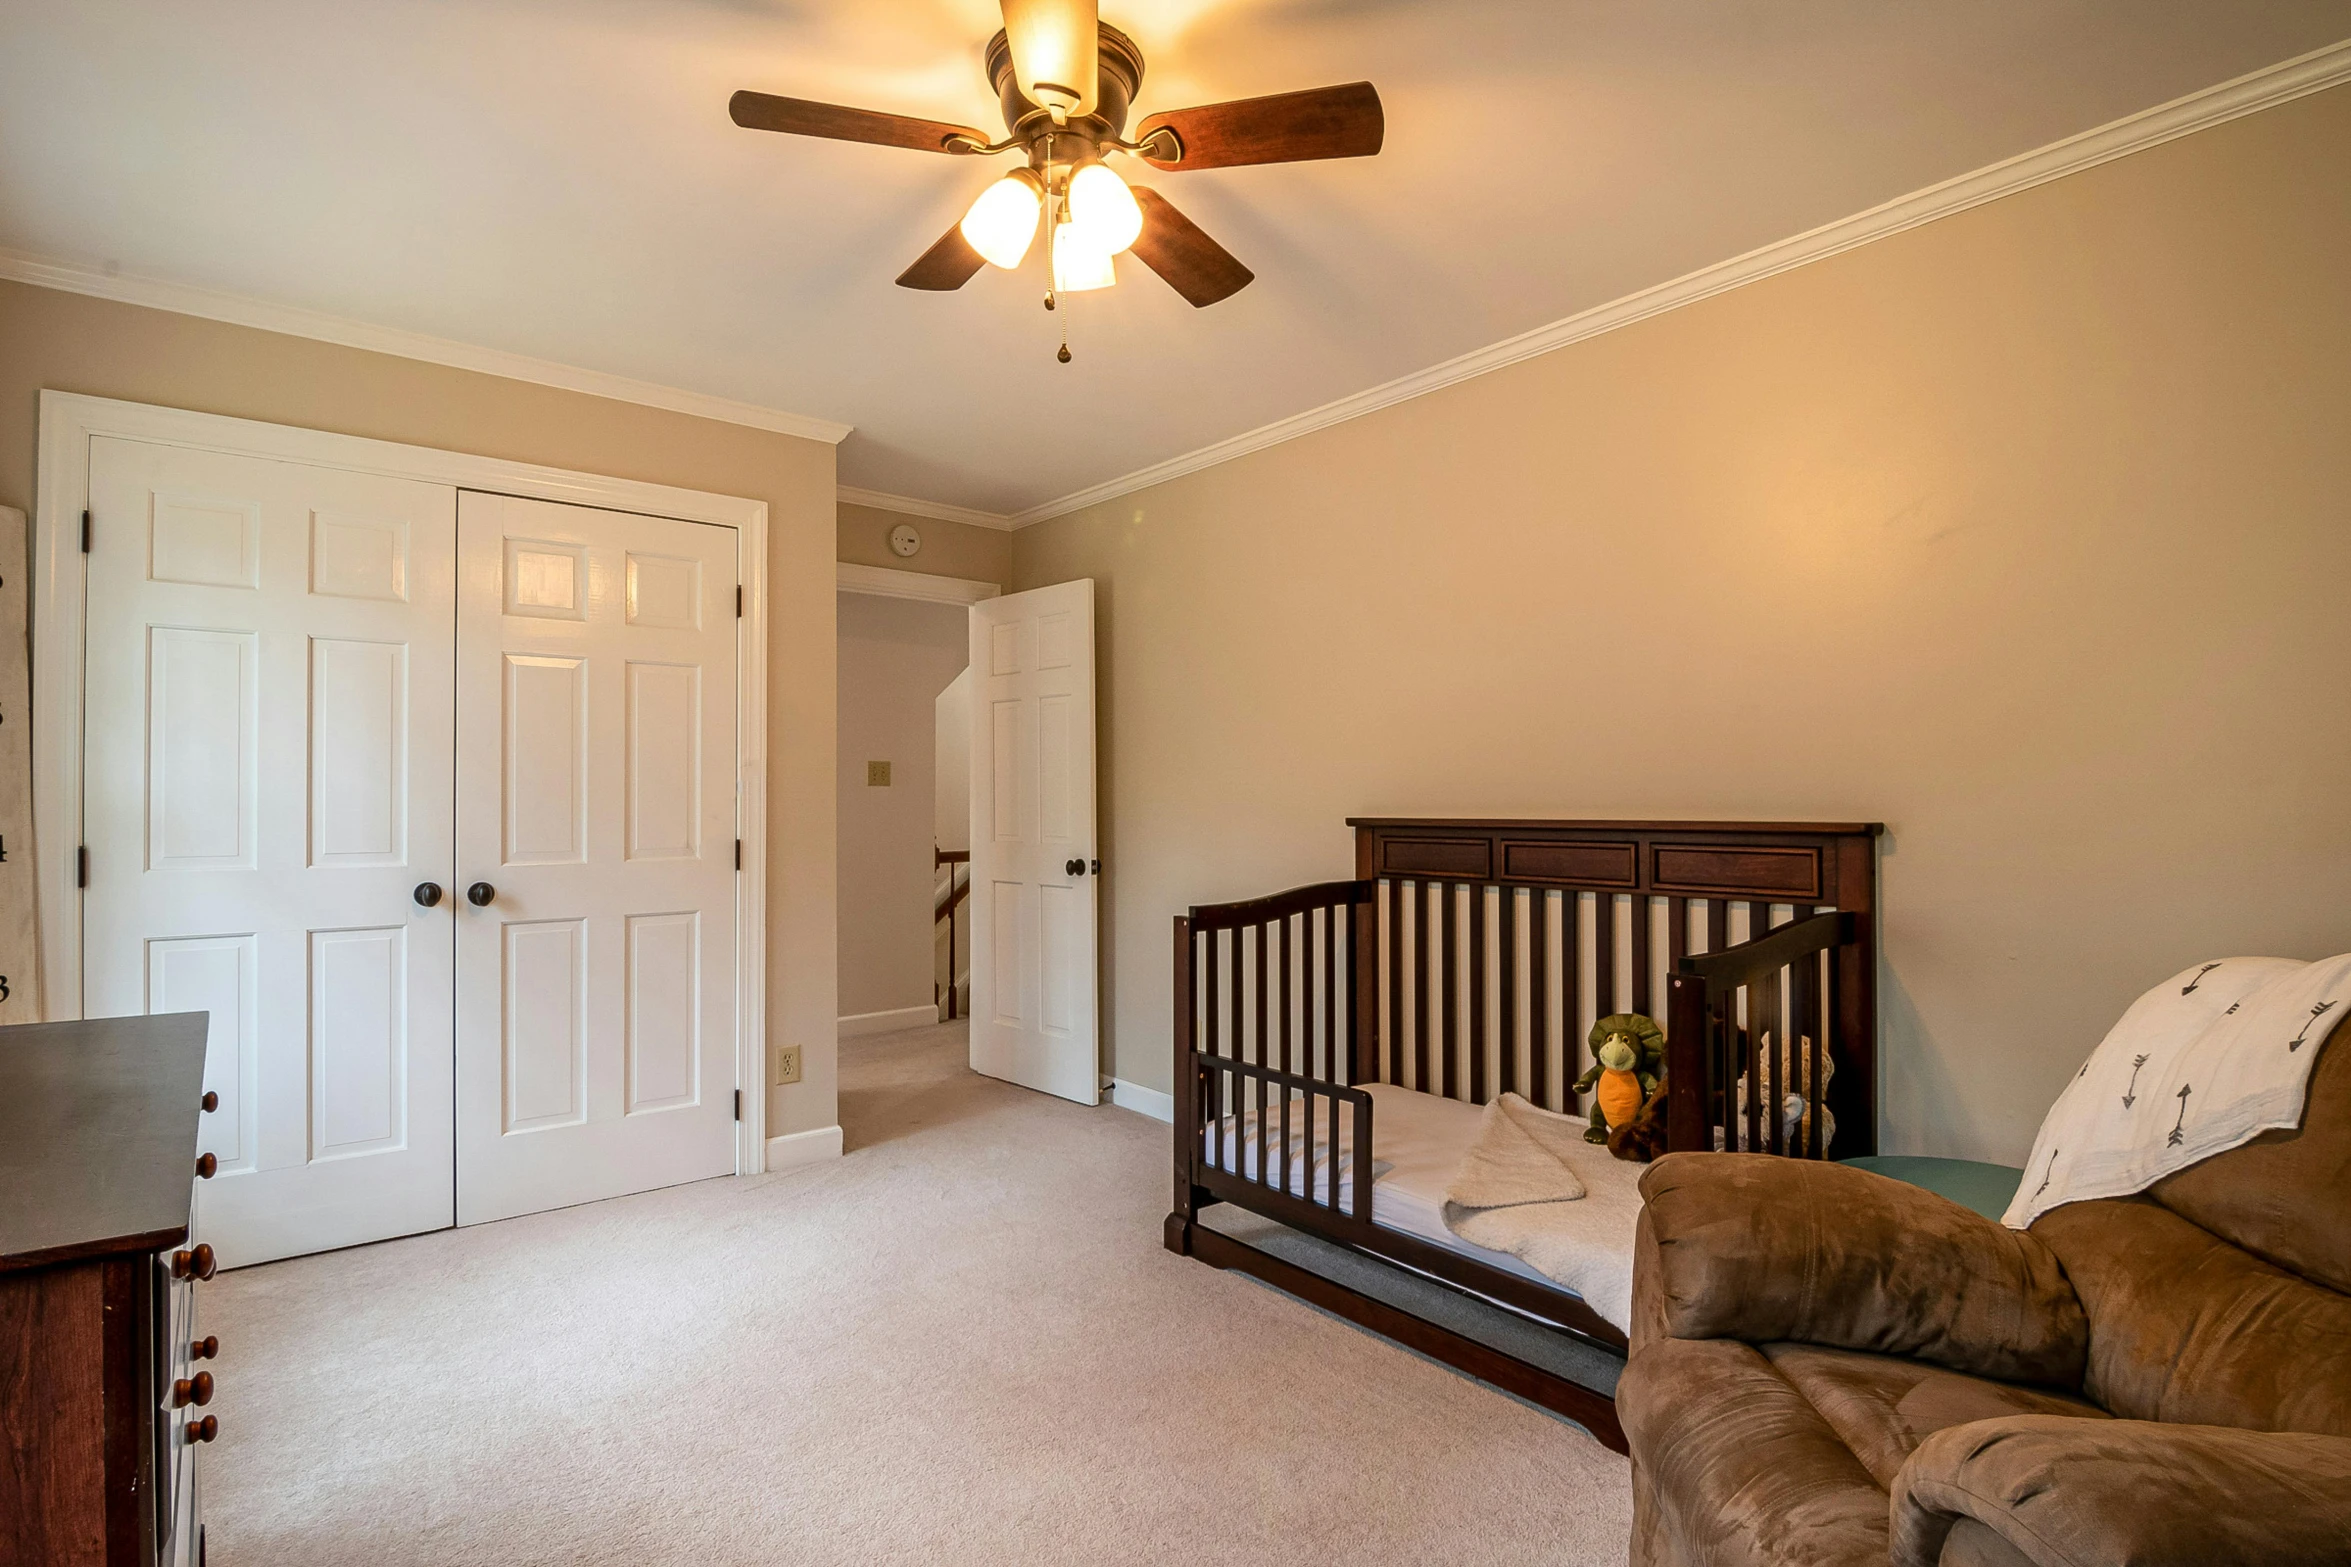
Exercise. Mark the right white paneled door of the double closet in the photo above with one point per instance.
(596, 793)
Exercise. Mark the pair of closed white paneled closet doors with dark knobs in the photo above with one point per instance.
(316, 694)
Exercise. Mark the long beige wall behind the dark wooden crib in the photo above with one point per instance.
(2025, 532)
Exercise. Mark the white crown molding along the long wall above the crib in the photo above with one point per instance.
(2246, 95)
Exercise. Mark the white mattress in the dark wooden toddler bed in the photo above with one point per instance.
(1416, 1143)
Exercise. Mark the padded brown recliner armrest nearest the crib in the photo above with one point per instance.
(1760, 1249)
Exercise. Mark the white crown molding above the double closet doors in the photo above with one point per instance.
(295, 321)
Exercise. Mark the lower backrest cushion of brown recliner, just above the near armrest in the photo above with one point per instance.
(2190, 1329)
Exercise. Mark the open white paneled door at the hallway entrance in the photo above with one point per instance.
(1033, 863)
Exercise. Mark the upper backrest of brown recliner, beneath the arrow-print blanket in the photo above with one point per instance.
(2284, 1197)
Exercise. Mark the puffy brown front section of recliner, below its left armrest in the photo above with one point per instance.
(1741, 1467)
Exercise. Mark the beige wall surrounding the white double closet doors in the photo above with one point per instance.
(76, 344)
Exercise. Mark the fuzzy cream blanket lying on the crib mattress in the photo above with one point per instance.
(1567, 1209)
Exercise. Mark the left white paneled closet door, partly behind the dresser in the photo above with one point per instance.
(267, 779)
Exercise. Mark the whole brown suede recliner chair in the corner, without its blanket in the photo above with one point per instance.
(1833, 1368)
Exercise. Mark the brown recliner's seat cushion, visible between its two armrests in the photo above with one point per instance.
(1884, 1406)
